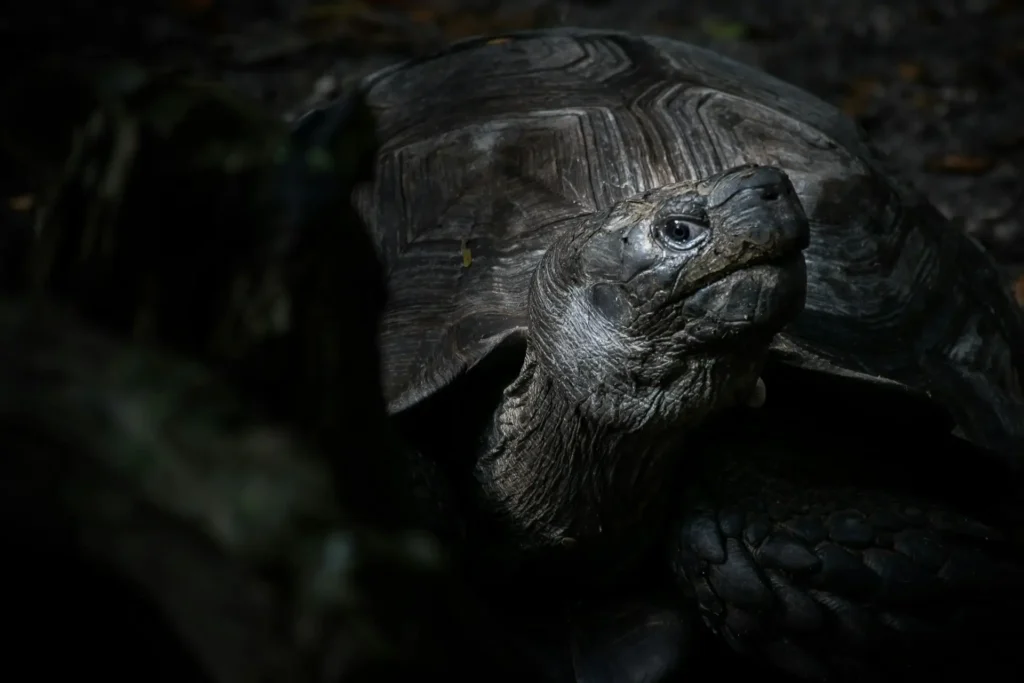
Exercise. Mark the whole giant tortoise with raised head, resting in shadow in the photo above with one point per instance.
(600, 247)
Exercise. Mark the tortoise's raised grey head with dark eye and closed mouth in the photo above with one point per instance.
(664, 307)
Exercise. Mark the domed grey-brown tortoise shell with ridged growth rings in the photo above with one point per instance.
(490, 146)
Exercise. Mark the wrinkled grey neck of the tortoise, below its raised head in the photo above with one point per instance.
(557, 479)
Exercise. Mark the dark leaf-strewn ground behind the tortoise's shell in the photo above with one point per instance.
(940, 84)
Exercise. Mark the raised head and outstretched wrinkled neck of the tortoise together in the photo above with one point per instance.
(645, 320)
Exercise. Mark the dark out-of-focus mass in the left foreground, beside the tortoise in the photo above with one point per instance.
(199, 253)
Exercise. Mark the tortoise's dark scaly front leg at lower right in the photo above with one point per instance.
(857, 586)
